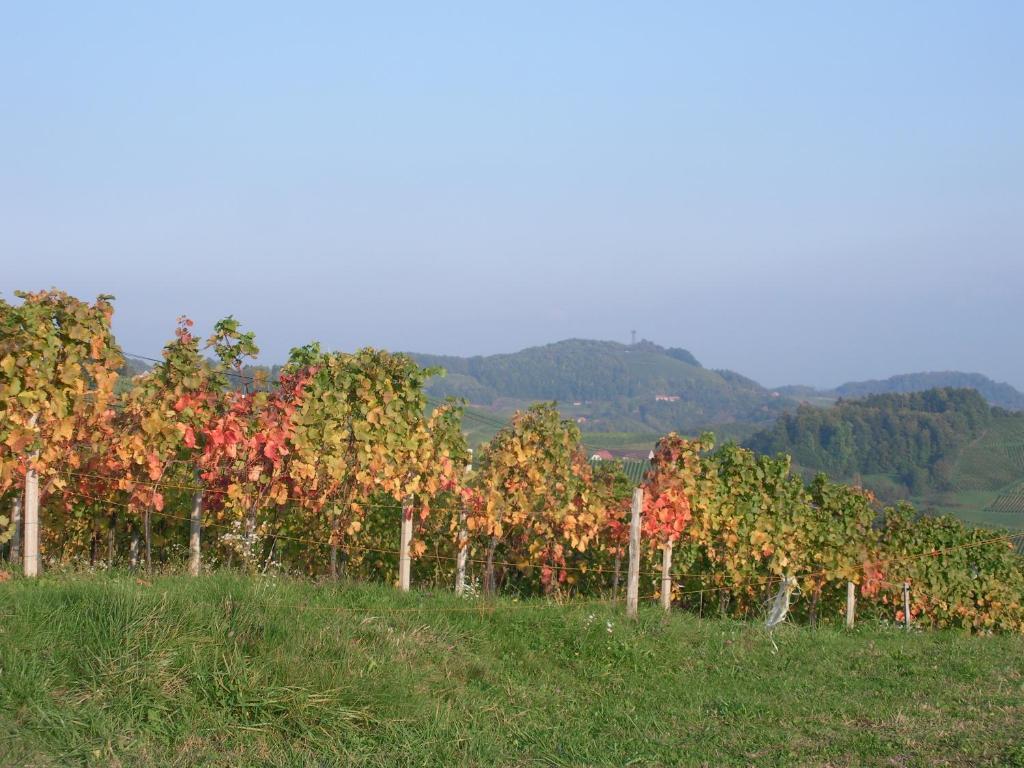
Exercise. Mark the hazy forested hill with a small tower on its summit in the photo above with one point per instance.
(611, 387)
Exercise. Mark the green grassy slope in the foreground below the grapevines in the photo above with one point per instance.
(229, 671)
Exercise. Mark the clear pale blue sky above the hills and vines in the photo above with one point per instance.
(801, 192)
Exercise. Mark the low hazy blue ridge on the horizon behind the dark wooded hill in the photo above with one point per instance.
(997, 394)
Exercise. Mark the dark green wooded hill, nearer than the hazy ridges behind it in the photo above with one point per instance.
(915, 438)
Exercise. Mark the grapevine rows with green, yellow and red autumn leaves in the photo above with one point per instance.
(318, 471)
